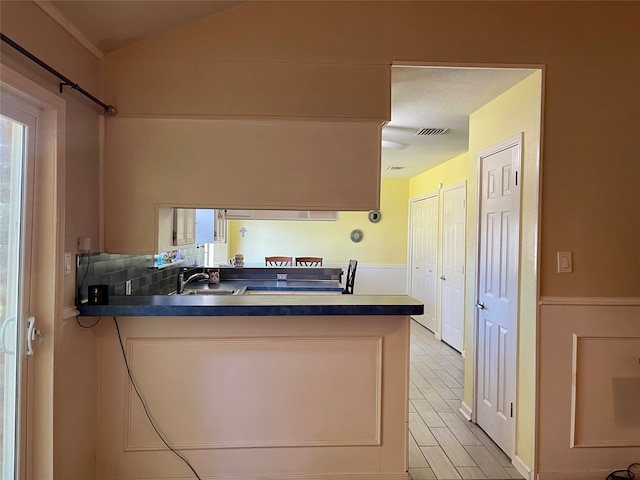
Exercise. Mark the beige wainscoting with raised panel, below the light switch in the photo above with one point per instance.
(589, 387)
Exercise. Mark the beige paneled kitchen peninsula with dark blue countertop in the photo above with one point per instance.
(255, 387)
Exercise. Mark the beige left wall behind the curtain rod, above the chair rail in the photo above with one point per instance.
(31, 28)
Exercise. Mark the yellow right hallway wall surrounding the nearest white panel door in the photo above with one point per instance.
(518, 109)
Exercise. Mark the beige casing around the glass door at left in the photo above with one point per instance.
(47, 292)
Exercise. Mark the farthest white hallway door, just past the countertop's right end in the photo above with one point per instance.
(424, 257)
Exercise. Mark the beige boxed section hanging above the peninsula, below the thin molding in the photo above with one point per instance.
(276, 165)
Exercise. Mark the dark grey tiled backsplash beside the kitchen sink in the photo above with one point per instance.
(114, 270)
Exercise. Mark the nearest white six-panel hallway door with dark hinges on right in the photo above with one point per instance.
(499, 205)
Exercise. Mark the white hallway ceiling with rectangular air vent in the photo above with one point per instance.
(437, 97)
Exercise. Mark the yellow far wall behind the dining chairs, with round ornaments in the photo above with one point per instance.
(384, 242)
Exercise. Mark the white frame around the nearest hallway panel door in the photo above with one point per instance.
(515, 140)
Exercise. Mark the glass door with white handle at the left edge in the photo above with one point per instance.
(18, 123)
